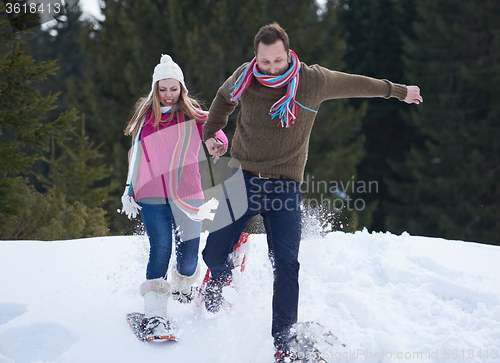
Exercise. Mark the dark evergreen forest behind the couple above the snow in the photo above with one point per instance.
(68, 89)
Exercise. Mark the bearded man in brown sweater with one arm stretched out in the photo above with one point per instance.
(279, 98)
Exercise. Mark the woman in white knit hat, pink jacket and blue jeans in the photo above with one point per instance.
(164, 183)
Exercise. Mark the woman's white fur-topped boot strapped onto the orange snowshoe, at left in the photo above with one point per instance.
(156, 293)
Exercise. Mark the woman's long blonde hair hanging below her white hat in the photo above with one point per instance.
(186, 105)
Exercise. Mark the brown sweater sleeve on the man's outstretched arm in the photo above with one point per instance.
(344, 85)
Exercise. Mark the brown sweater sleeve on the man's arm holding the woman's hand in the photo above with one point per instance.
(222, 106)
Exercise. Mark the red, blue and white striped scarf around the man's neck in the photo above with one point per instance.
(286, 107)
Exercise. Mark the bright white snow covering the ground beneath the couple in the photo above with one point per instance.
(389, 298)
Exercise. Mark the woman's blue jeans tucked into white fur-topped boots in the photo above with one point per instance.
(165, 223)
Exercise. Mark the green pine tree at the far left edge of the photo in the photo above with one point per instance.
(24, 131)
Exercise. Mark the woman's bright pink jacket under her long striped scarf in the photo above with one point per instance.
(156, 165)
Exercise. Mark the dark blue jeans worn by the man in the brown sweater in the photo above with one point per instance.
(278, 202)
